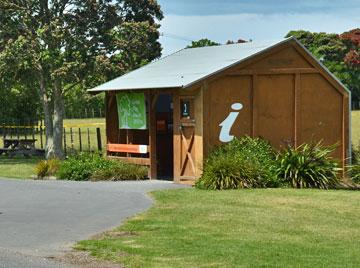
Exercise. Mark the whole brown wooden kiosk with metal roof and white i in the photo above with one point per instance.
(197, 98)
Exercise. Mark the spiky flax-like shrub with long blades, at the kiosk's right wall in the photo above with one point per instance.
(308, 166)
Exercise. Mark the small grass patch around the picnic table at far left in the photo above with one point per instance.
(18, 167)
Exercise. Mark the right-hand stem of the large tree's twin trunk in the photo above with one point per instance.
(58, 120)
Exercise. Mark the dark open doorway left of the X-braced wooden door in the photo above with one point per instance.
(164, 137)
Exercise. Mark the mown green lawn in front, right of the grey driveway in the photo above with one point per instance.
(243, 228)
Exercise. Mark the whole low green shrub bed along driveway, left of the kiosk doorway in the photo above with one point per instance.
(85, 166)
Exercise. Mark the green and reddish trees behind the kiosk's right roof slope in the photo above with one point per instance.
(339, 53)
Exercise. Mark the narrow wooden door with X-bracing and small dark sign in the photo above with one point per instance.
(184, 140)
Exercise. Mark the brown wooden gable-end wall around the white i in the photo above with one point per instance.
(287, 99)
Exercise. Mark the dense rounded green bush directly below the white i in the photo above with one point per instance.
(242, 163)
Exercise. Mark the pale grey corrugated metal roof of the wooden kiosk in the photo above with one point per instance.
(187, 66)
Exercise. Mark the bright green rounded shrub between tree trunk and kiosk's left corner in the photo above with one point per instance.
(80, 167)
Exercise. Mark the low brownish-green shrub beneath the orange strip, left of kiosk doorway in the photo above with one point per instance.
(121, 171)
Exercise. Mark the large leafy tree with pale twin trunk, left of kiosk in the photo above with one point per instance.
(60, 44)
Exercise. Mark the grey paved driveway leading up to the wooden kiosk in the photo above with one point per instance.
(45, 218)
